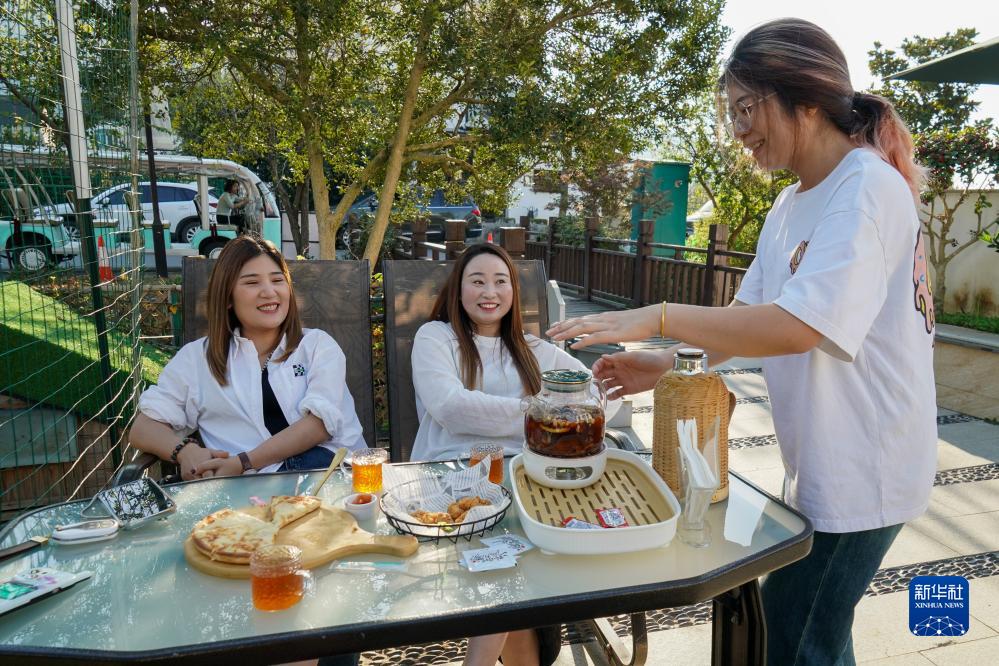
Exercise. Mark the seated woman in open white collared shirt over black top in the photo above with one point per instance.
(264, 393)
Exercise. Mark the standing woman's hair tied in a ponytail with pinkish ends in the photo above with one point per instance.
(800, 64)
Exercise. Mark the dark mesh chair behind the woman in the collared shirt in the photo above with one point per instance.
(332, 296)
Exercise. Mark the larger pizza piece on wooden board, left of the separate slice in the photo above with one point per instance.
(231, 536)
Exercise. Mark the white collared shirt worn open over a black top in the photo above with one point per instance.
(231, 417)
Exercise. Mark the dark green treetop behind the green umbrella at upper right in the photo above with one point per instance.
(925, 106)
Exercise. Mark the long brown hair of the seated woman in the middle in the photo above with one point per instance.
(448, 308)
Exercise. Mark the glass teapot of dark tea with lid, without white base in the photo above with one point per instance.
(565, 420)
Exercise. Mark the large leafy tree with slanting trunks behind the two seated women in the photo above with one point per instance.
(460, 93)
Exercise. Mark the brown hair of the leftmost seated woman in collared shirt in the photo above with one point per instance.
(222, 320)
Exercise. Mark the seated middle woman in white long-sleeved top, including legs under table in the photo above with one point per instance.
(472, 365)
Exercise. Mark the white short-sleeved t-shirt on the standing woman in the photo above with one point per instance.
(855, 417)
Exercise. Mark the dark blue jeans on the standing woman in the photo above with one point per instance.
(809, 604)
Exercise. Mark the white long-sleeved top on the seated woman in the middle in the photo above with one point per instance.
(451, 416)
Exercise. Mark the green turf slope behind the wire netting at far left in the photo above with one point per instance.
(53, 341)
